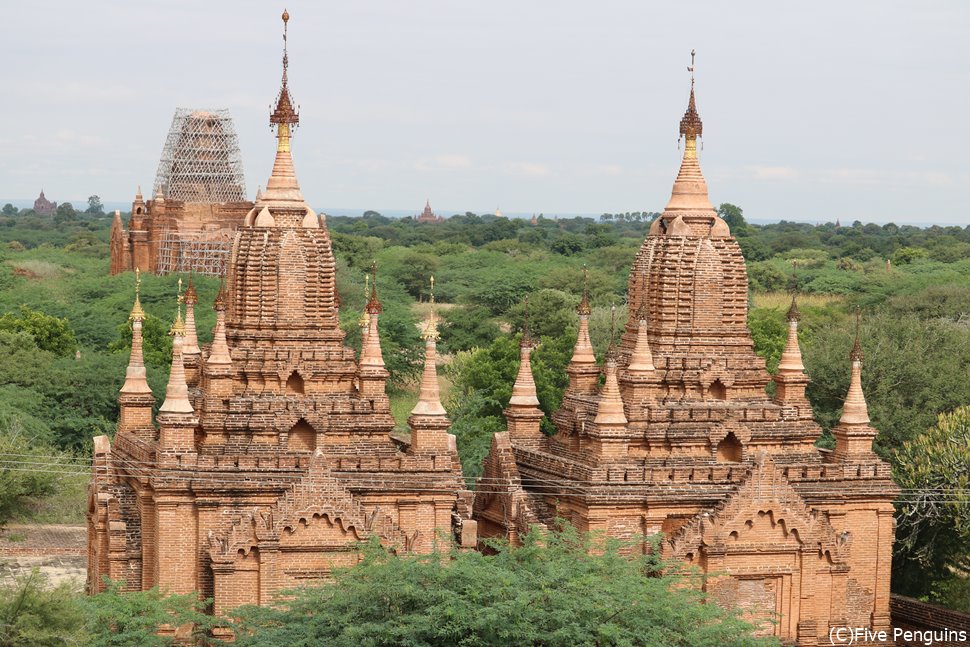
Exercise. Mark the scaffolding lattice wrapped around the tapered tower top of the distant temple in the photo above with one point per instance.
(201, 161)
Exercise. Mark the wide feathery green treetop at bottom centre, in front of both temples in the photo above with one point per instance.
(557, 589)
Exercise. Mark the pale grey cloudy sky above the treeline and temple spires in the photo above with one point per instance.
(812, 111)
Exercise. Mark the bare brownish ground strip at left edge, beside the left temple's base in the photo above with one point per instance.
(59, 552)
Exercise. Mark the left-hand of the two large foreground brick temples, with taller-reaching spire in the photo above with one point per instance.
(271, 457)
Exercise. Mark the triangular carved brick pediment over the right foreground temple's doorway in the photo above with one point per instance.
(764, 510)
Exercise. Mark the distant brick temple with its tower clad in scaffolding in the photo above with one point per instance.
(199, 201)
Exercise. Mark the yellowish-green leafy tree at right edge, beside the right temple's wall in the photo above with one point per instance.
(933, 533)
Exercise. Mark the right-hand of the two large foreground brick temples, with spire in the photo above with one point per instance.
(682, 439)
